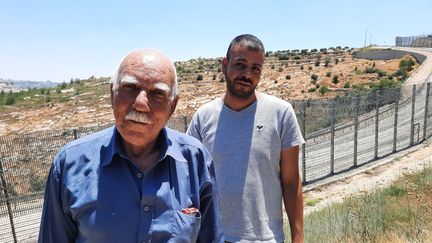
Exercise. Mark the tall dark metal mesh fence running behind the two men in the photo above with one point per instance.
(341, 134)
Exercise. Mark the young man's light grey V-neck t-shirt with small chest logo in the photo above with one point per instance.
(246, 147)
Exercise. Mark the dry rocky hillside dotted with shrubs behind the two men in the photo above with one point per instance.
(291, 75)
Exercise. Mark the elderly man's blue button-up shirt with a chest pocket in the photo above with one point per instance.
(95, 193)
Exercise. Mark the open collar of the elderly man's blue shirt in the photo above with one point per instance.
(167, 140)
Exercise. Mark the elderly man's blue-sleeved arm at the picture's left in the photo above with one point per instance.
(56, 225)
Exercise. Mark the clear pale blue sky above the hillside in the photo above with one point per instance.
(58, 40)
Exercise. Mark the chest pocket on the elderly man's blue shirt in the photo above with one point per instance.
(186, 226)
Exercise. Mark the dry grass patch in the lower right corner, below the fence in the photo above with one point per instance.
(401, 212)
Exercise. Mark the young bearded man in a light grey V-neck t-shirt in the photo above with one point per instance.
(254, 139)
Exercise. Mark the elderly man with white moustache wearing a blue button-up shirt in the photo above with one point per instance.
(137, 181)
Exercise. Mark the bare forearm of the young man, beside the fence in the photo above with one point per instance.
(292, 191)
